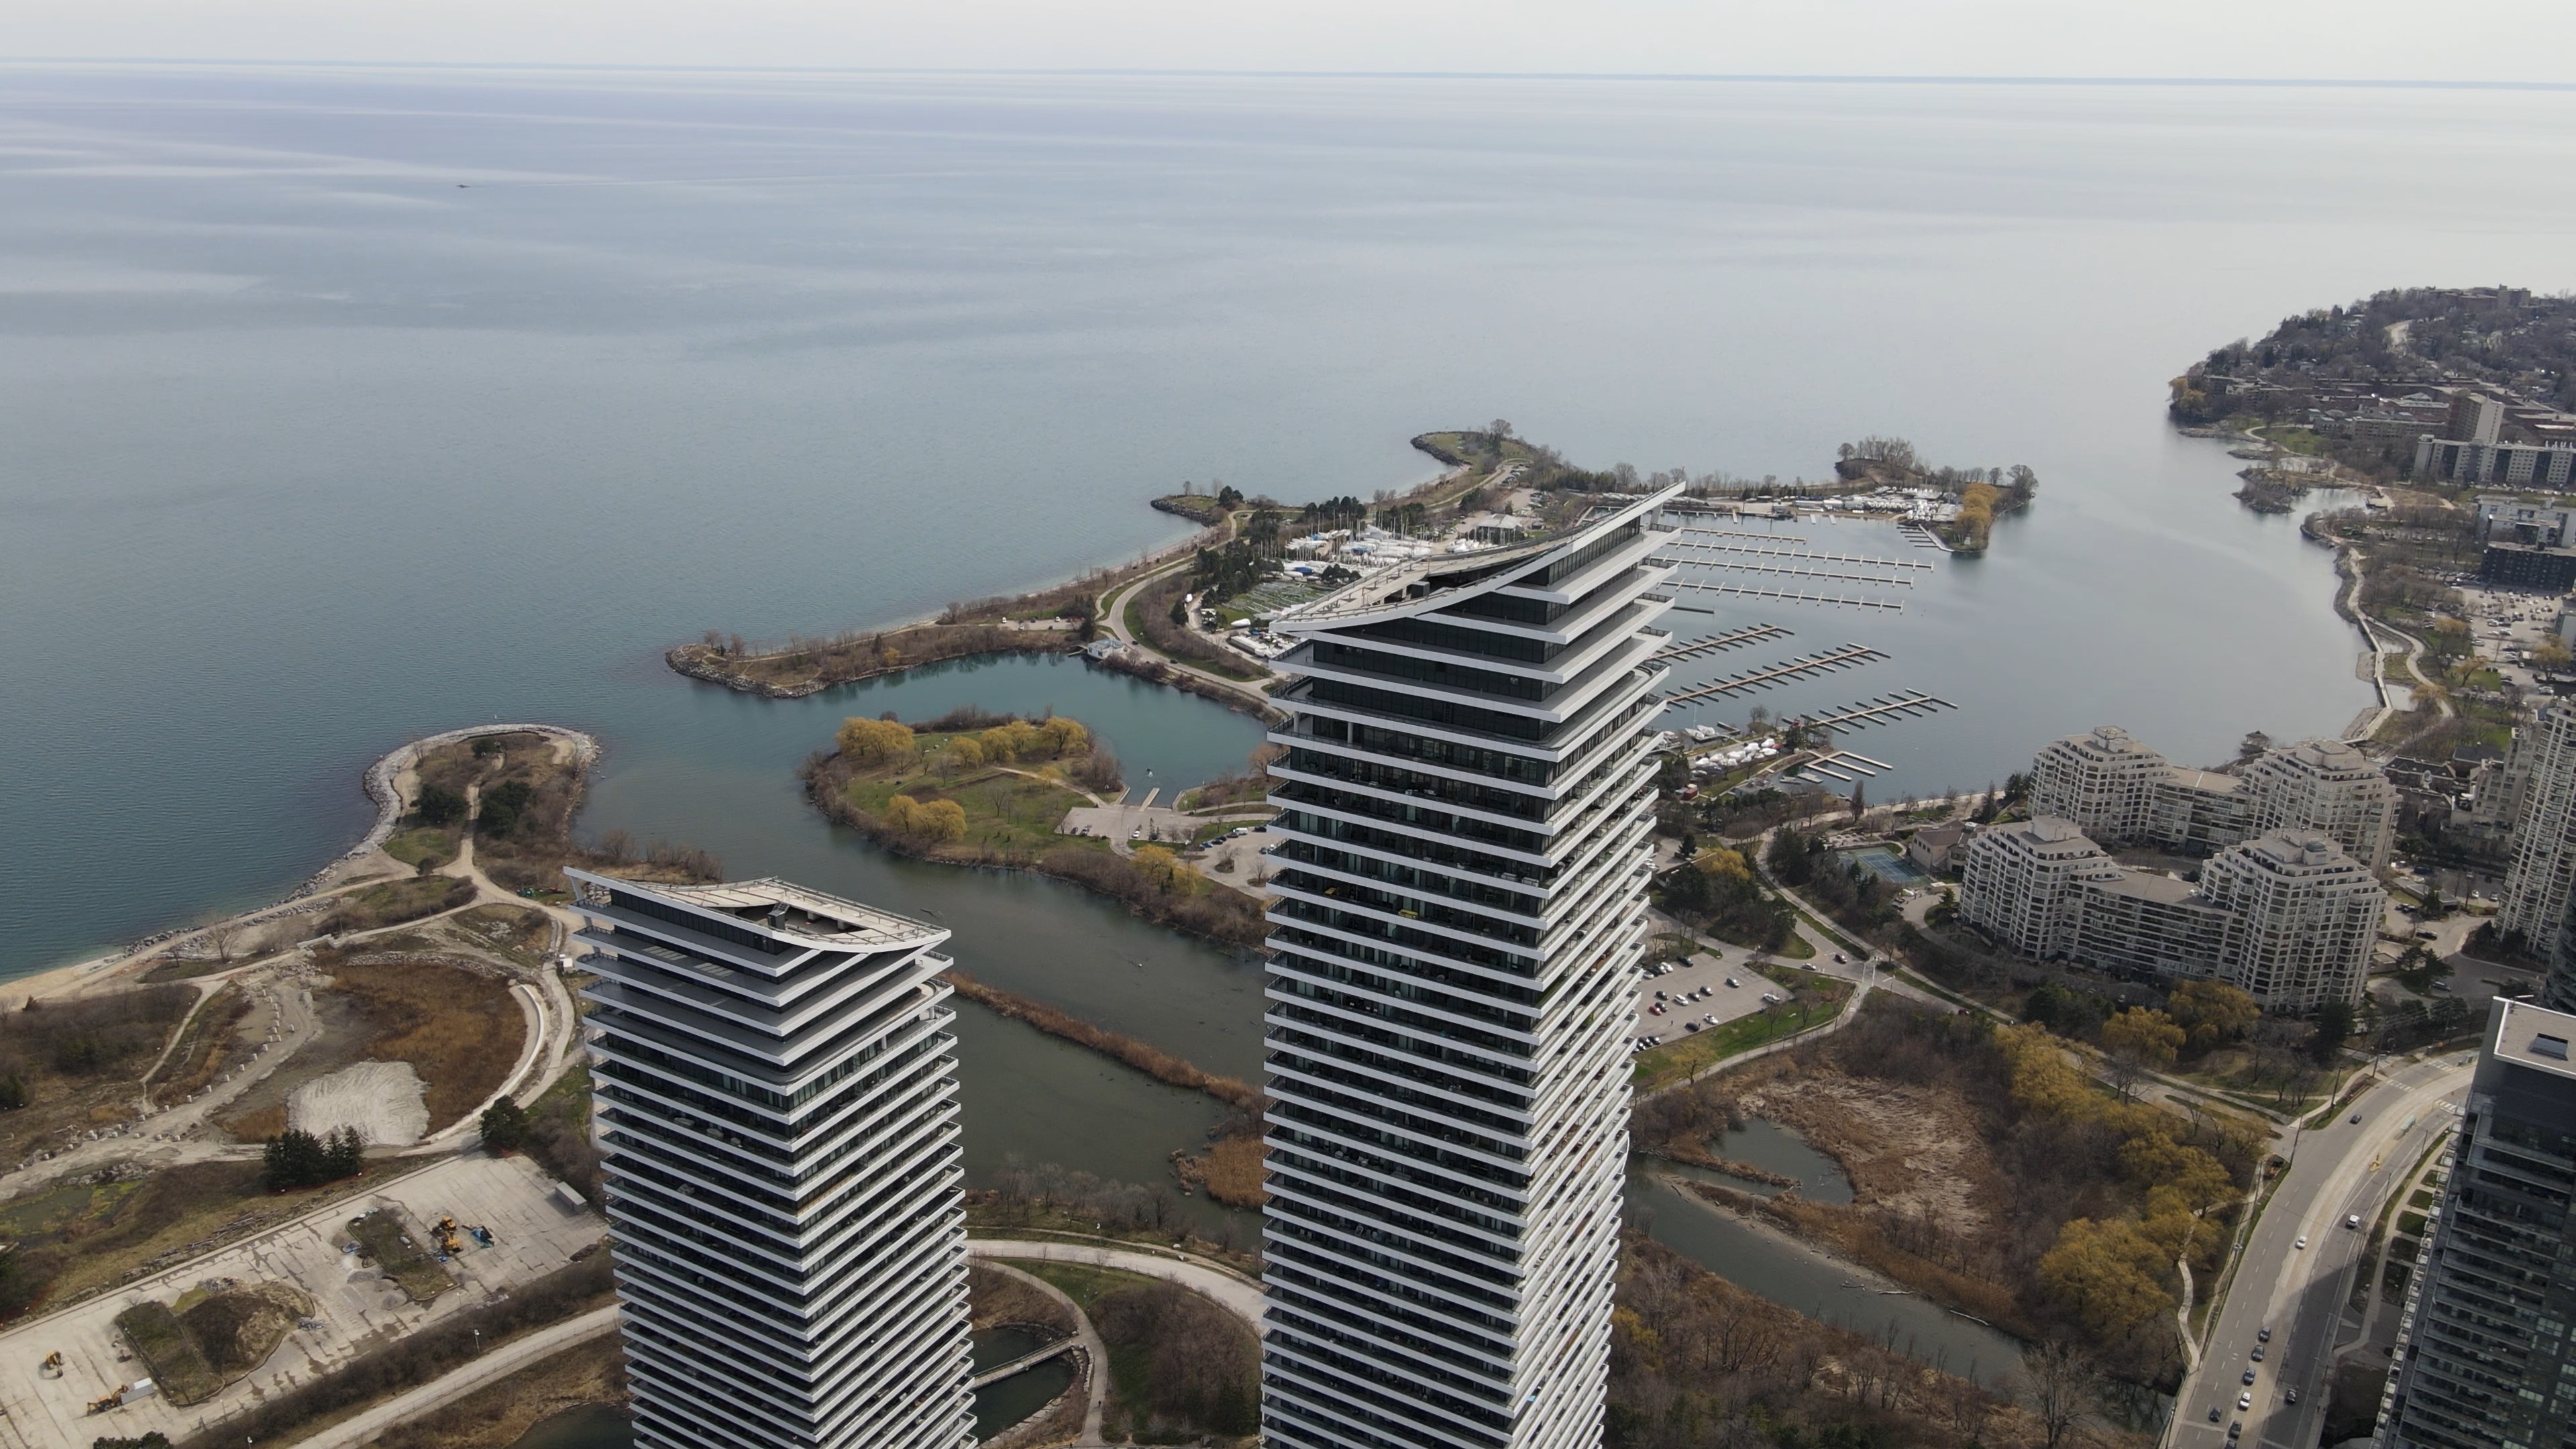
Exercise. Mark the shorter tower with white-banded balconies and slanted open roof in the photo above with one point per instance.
(774, 1084)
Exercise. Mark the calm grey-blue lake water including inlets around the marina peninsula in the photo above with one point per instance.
(365, 404)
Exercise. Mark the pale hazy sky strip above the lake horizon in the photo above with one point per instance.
(2307, 40)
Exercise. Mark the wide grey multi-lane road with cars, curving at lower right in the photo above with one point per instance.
(2299, 1293)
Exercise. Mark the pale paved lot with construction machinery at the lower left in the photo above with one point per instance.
(354, 1306)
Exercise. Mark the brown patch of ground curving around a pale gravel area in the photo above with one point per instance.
(457, 1027)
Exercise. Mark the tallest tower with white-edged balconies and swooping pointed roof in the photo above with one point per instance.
(1454, 966)
